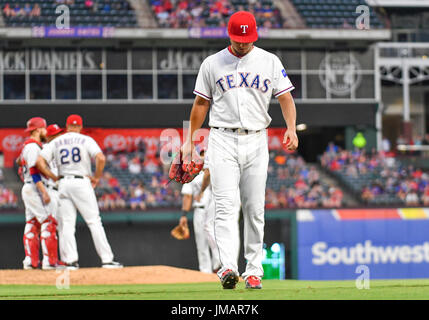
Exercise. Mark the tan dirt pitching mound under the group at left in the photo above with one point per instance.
(128, 275)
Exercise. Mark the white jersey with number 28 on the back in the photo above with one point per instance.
(72, 153)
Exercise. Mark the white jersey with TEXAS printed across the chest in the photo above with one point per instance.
(241, 88)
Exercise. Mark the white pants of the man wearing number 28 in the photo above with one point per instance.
(78, 194)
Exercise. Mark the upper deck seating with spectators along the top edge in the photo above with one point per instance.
(271, 14)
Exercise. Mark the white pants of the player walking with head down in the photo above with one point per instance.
(239, 161)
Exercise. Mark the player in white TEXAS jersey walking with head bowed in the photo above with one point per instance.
(238, 83)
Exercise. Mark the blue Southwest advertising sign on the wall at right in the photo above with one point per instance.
(392, 243)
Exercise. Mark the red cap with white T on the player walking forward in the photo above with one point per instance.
(242, 27)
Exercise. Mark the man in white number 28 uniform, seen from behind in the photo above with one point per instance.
(72, 152)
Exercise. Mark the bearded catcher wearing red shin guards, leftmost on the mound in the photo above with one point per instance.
(40, 206)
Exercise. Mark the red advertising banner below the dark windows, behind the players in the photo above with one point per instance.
(156, 140)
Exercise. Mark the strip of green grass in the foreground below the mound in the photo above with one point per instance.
(273, 290)
